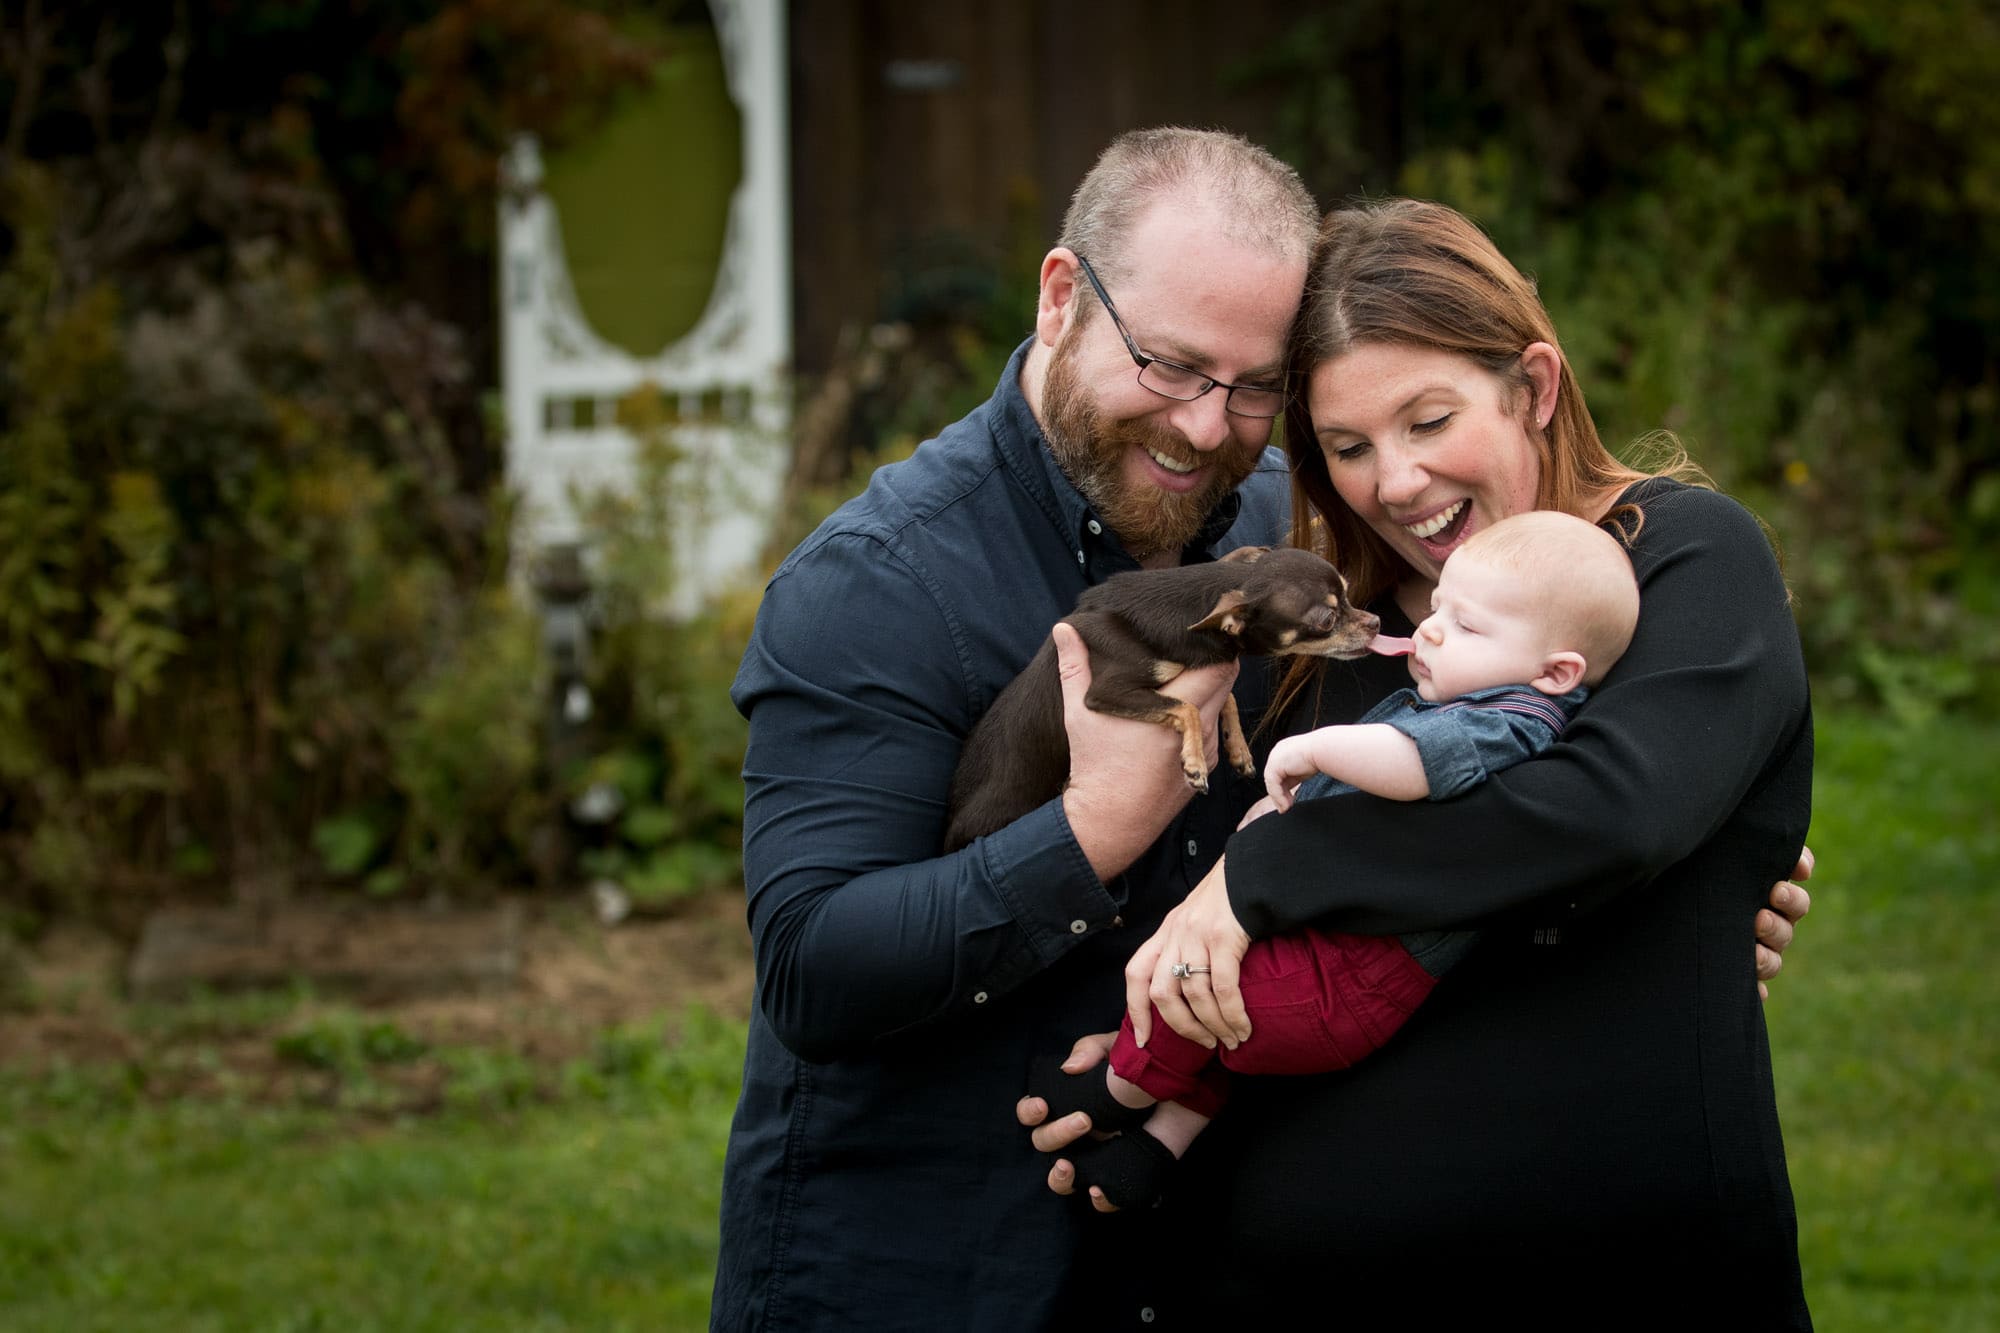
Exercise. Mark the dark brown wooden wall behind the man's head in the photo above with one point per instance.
(939, 137)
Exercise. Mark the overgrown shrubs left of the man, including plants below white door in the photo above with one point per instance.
(249, 607)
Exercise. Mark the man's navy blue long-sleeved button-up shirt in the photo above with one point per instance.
(875, 1170)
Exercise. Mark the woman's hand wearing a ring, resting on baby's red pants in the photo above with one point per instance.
(1205, 936)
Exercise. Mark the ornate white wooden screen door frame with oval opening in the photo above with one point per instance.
(729, 373)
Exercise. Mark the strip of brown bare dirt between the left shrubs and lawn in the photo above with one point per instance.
(573, 980)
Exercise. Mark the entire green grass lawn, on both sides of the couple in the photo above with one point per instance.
(591, 1204)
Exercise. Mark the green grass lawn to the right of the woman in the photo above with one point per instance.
(1887, 1032)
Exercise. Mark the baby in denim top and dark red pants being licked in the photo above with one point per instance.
(1525, 619)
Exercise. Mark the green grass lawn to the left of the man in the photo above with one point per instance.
(591, 1210)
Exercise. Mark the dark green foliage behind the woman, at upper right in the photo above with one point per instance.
(1765, 227)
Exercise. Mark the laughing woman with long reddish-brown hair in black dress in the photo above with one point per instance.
(1579, 1124)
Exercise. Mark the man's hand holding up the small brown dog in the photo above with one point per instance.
(1125, 778)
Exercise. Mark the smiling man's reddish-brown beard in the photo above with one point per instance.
(1091, 451)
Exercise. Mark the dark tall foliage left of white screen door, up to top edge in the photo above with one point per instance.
(253, 605)
